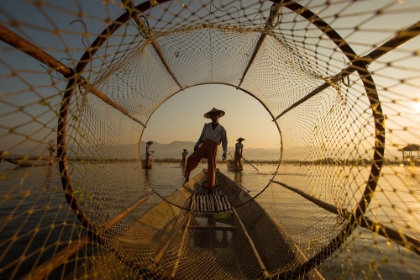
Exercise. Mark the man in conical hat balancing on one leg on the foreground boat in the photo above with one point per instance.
(212, 135)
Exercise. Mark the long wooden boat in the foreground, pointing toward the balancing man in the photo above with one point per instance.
(198, 234)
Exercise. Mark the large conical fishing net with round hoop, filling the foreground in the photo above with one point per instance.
(80, 80)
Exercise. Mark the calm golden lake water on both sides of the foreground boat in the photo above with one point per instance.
(36, 222)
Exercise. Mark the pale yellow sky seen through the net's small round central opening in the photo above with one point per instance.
(181, 117)
